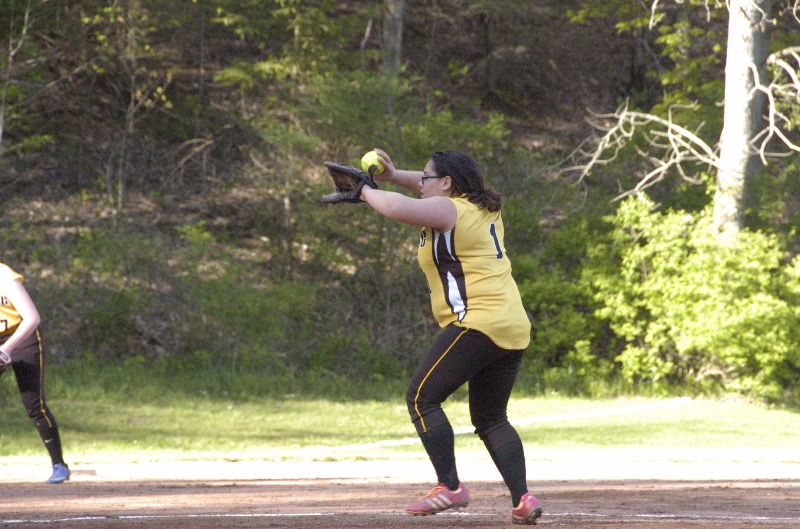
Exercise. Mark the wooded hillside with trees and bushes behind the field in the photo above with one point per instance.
(160, 164)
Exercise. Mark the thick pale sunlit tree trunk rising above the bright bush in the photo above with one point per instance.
(747, 52)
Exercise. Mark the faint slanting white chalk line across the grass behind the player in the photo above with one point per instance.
(557, 417)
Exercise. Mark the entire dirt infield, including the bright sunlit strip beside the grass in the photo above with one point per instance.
(337, 495)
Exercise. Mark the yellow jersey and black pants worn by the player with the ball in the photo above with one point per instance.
(485, 330)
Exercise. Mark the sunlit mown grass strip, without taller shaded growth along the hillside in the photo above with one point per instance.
(280, 429)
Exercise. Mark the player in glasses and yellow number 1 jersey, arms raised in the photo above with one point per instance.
(485, 327)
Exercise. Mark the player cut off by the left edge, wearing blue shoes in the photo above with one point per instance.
(21, 350)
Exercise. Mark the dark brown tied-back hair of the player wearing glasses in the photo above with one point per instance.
(467, 177)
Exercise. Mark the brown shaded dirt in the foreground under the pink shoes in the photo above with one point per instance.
(348, 503)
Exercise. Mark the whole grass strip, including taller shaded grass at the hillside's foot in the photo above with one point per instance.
(132, 412)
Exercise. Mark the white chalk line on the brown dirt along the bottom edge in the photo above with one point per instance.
(700, 517)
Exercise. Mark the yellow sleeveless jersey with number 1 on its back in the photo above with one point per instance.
(469, 277)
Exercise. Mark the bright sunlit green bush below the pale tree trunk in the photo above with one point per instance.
(693, 310)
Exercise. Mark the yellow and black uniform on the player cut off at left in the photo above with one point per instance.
(28, 365)
